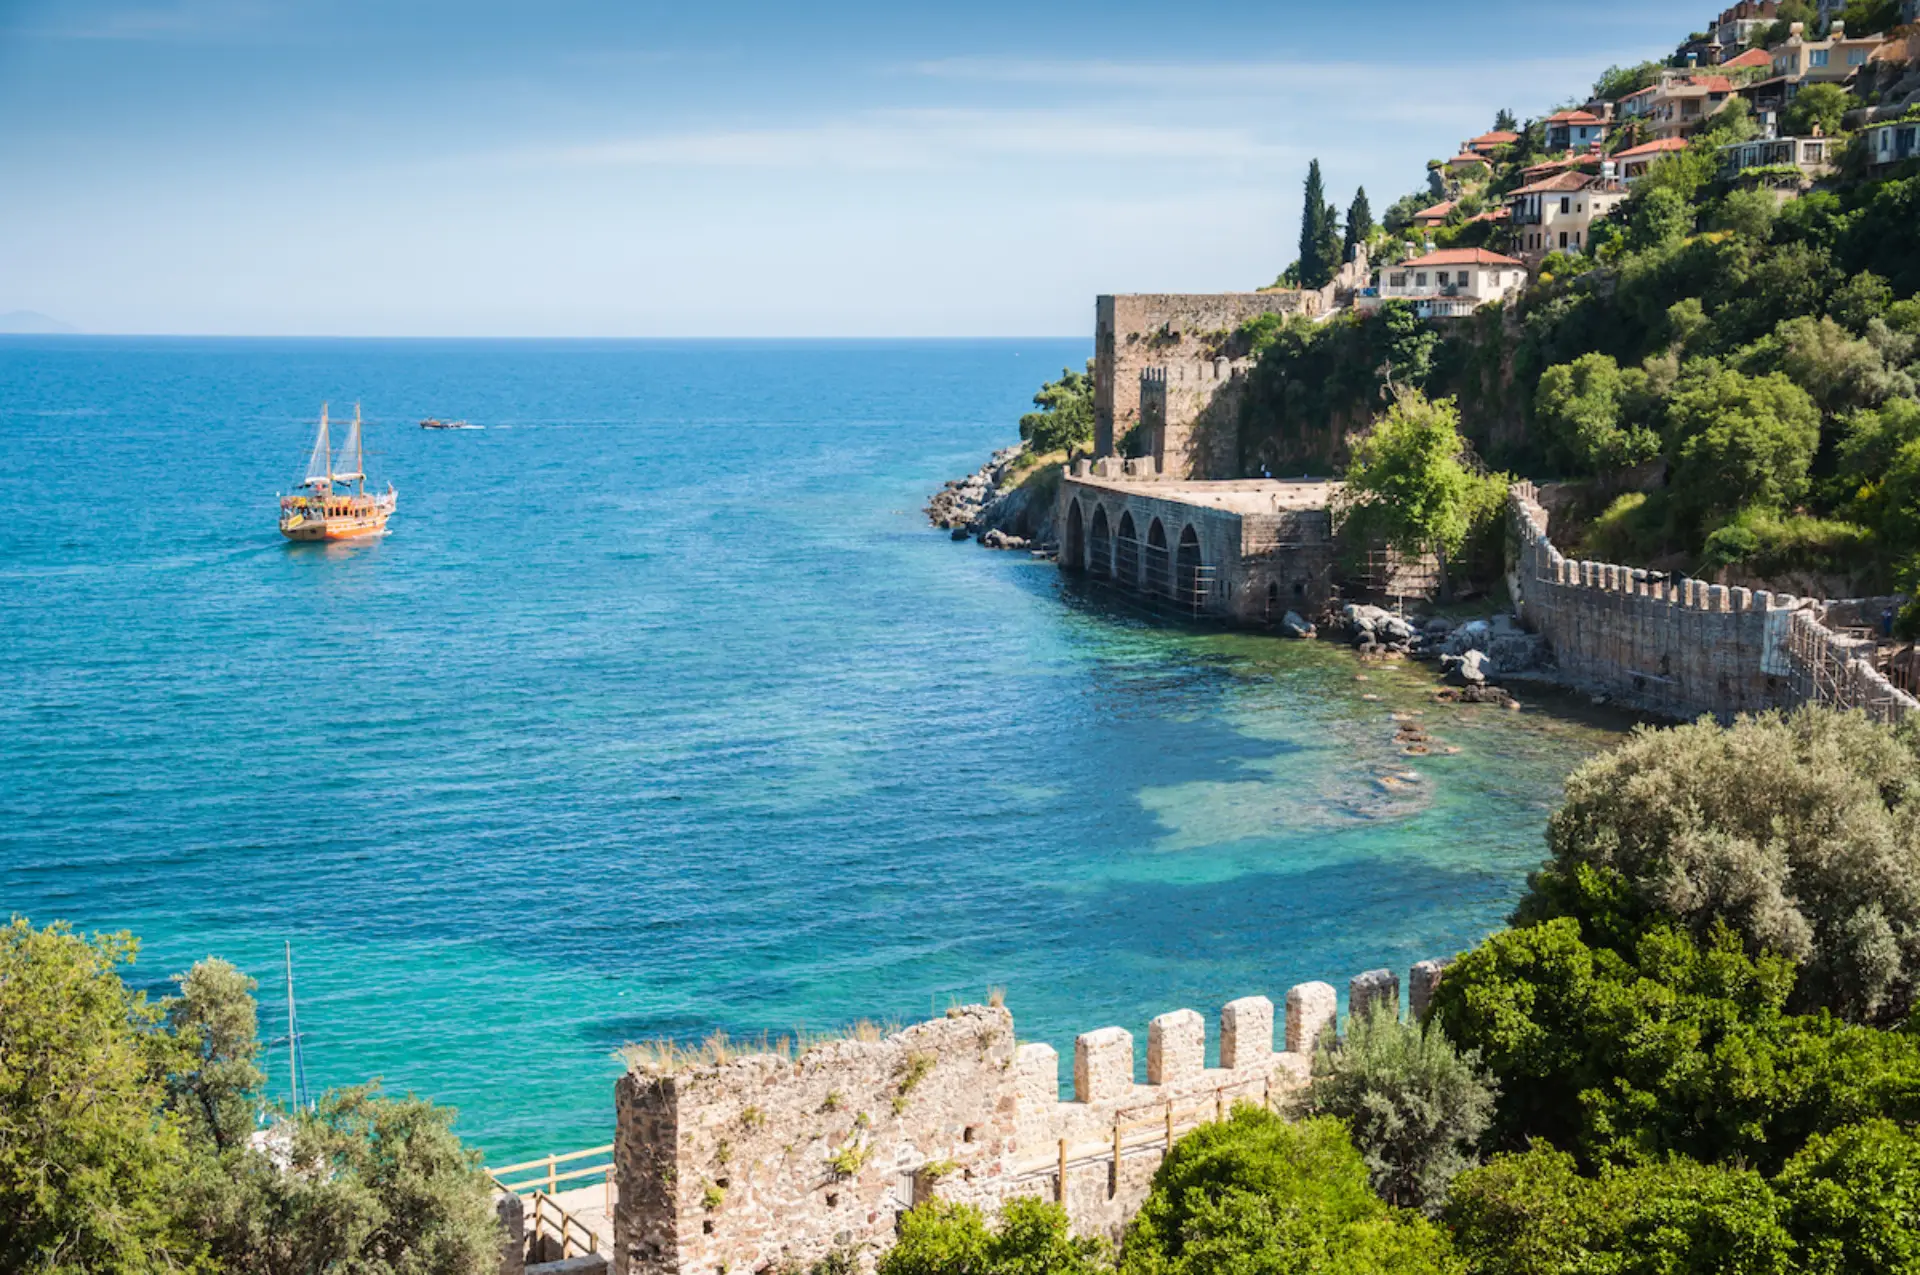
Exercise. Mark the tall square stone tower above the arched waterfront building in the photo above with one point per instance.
(1182, 333)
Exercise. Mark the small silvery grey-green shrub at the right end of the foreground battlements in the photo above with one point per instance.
(1414, 1105)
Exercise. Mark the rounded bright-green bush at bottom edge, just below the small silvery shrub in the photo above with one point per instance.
(1262, 1195)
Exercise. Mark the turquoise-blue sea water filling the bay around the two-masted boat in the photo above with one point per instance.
(663, 711)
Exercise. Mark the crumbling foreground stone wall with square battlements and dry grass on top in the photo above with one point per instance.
(767, 1161)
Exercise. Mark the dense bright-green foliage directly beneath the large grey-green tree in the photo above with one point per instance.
(1669, 1047)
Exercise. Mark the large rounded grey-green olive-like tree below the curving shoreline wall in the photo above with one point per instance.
(1798, 832)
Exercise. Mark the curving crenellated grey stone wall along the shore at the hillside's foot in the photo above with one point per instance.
(1683, 648)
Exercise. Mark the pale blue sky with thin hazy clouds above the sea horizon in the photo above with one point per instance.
(575, 168)
